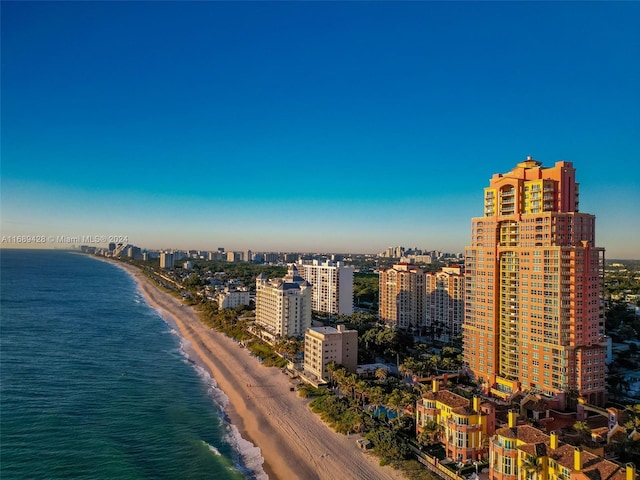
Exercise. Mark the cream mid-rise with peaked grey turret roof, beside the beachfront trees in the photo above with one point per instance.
(283, 306)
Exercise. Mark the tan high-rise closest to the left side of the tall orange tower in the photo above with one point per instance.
(445, 303)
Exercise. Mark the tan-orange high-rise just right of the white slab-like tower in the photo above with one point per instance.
(402, 296)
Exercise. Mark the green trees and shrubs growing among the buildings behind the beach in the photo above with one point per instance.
(380, 407)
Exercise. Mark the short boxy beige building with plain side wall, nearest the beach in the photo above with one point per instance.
(327, 344)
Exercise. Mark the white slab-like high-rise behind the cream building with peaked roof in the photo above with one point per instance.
(332, 285)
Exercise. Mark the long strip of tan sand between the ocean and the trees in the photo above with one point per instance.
(294, 442)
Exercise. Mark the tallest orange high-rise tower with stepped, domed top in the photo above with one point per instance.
(534, 282)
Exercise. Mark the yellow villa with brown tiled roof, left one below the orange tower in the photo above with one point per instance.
(459, 423)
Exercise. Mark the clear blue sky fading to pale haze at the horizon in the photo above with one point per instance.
(311, 126)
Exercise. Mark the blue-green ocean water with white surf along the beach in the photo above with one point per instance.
(95, 384)
